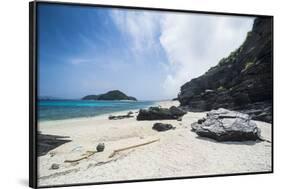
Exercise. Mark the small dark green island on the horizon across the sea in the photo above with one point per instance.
(110, 95)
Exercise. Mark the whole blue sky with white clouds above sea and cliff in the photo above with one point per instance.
(146, 54)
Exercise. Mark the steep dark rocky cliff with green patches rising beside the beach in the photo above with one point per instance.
(242, 81)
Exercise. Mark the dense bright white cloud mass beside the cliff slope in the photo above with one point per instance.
(193, 43)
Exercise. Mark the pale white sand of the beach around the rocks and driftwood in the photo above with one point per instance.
(178, 153)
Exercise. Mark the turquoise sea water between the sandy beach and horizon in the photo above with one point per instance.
(67, 109)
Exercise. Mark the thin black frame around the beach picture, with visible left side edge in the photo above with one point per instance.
(33, 91)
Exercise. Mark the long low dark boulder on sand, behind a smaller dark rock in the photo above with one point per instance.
(157, 113)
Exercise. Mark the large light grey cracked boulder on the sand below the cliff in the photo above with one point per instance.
(226, 125)
